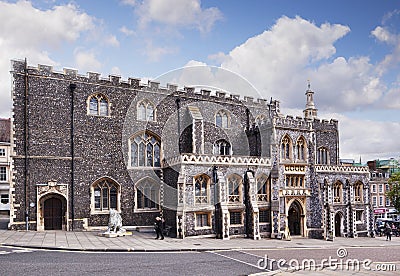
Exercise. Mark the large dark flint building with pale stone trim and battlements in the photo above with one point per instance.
(212, 164)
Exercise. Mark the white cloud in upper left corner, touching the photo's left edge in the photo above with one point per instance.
(27, 32)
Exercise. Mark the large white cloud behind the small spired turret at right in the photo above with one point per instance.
(280, 60)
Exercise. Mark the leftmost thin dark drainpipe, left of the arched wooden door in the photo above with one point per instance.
(26, 140)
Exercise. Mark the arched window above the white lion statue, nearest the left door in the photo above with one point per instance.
(105, 195)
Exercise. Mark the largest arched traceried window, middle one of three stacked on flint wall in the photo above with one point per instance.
(145, 150)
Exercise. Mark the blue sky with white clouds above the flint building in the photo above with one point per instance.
(349, 50)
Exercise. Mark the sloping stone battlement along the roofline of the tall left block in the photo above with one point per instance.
(18, 67)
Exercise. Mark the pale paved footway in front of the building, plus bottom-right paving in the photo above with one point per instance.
(146, 242)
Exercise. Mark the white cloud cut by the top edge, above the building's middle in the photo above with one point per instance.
(178, 13)
